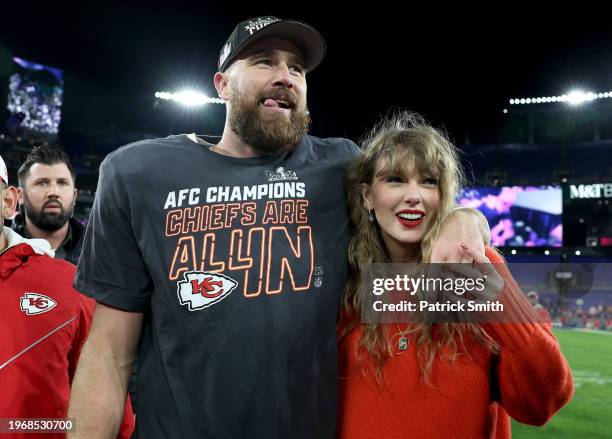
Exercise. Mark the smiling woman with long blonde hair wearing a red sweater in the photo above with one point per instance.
(433, 380)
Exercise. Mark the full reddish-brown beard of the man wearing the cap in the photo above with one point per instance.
(268, 131)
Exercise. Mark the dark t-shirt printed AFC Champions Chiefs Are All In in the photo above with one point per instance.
(238, 266)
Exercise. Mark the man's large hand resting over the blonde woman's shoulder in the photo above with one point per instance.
(464, 226)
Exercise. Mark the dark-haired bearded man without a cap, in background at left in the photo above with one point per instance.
(47, 195)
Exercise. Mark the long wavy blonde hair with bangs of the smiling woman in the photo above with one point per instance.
(405, 141)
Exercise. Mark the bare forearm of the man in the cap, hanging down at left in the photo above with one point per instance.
(100, 385)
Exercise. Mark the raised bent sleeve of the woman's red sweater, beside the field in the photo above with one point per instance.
(533, 378)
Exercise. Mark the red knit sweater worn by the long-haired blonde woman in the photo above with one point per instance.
(470, 397)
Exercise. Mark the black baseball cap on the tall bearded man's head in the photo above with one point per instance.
(305, 37)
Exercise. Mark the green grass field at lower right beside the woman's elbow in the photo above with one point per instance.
(589, 414)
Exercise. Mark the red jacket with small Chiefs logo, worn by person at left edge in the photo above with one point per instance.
(44, 323)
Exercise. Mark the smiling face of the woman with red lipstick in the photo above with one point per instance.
(403, 205)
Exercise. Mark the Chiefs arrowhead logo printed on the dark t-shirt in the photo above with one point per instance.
(202, 289)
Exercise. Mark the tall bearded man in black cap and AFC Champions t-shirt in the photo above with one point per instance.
(223, 264)
